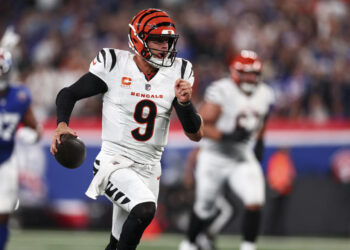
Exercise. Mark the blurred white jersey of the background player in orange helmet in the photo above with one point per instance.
(237, 109)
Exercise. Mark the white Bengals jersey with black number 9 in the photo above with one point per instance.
(136, 112)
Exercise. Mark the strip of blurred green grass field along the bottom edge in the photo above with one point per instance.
(76, 240)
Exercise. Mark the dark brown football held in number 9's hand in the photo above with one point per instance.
(71, 152)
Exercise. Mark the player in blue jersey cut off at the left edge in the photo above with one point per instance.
(15, 108)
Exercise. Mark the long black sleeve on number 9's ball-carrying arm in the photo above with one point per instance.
(88, 85)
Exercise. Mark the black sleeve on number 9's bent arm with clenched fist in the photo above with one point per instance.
(188, 116)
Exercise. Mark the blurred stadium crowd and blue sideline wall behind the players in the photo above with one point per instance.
(305, 49)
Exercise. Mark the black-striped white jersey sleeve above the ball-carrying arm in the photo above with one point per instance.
(103, 63)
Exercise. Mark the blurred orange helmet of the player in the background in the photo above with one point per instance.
(245, 70)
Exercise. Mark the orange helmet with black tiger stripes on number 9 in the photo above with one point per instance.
(153, 23)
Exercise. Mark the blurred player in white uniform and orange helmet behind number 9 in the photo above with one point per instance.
(234, 112)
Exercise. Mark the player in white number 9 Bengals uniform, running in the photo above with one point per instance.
(139, 90)
